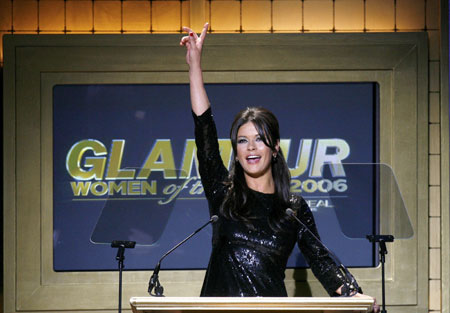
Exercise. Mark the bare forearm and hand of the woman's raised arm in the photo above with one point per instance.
(194, 45)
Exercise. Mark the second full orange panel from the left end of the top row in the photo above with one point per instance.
(51, 15)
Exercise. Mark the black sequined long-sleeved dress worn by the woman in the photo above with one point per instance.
(251, 261)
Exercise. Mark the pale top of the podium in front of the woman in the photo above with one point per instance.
(236, 304)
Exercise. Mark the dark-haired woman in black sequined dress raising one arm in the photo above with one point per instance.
(254, 237)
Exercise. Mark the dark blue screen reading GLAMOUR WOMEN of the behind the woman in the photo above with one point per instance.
(125, 168)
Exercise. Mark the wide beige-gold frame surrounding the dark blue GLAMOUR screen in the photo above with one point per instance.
(36, 63)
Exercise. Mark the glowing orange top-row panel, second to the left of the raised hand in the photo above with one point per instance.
(136, 16)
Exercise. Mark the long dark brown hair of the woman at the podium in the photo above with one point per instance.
(236, 203)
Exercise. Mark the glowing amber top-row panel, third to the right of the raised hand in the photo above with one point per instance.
(287, 15)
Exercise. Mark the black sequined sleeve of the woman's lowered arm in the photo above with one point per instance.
(318, 258)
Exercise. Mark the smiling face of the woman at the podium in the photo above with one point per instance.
(252, 153)
